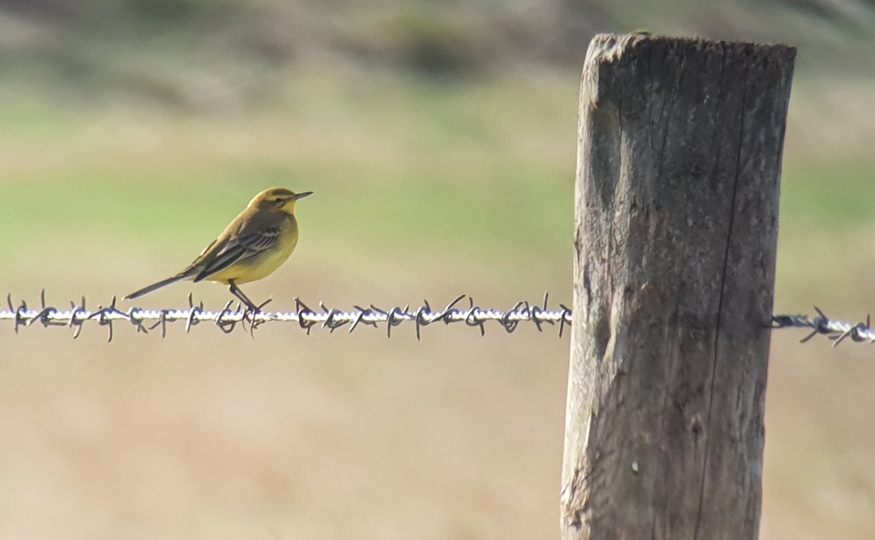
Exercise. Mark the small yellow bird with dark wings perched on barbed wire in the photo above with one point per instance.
(255, 244)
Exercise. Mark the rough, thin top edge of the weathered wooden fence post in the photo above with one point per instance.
(609, 47)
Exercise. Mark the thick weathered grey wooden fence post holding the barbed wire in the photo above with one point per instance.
(676, 221)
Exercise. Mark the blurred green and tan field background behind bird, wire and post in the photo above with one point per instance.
(439, 138)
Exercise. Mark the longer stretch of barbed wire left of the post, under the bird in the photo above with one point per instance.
(228, 318)
